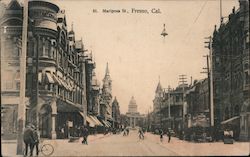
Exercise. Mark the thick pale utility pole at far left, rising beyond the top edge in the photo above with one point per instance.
(22, 105)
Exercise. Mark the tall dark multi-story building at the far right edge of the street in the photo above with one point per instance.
(231, 72)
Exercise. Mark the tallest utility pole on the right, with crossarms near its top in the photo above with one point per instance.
(210, 72)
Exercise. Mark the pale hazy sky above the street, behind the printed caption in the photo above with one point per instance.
(132, 45)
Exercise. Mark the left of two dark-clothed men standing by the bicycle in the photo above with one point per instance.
(28, 139)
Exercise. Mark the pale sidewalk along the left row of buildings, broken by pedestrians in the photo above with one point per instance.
(8, 147)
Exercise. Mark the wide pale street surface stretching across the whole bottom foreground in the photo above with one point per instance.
(118, 145)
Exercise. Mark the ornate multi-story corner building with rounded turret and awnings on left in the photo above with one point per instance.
(56, 72)
